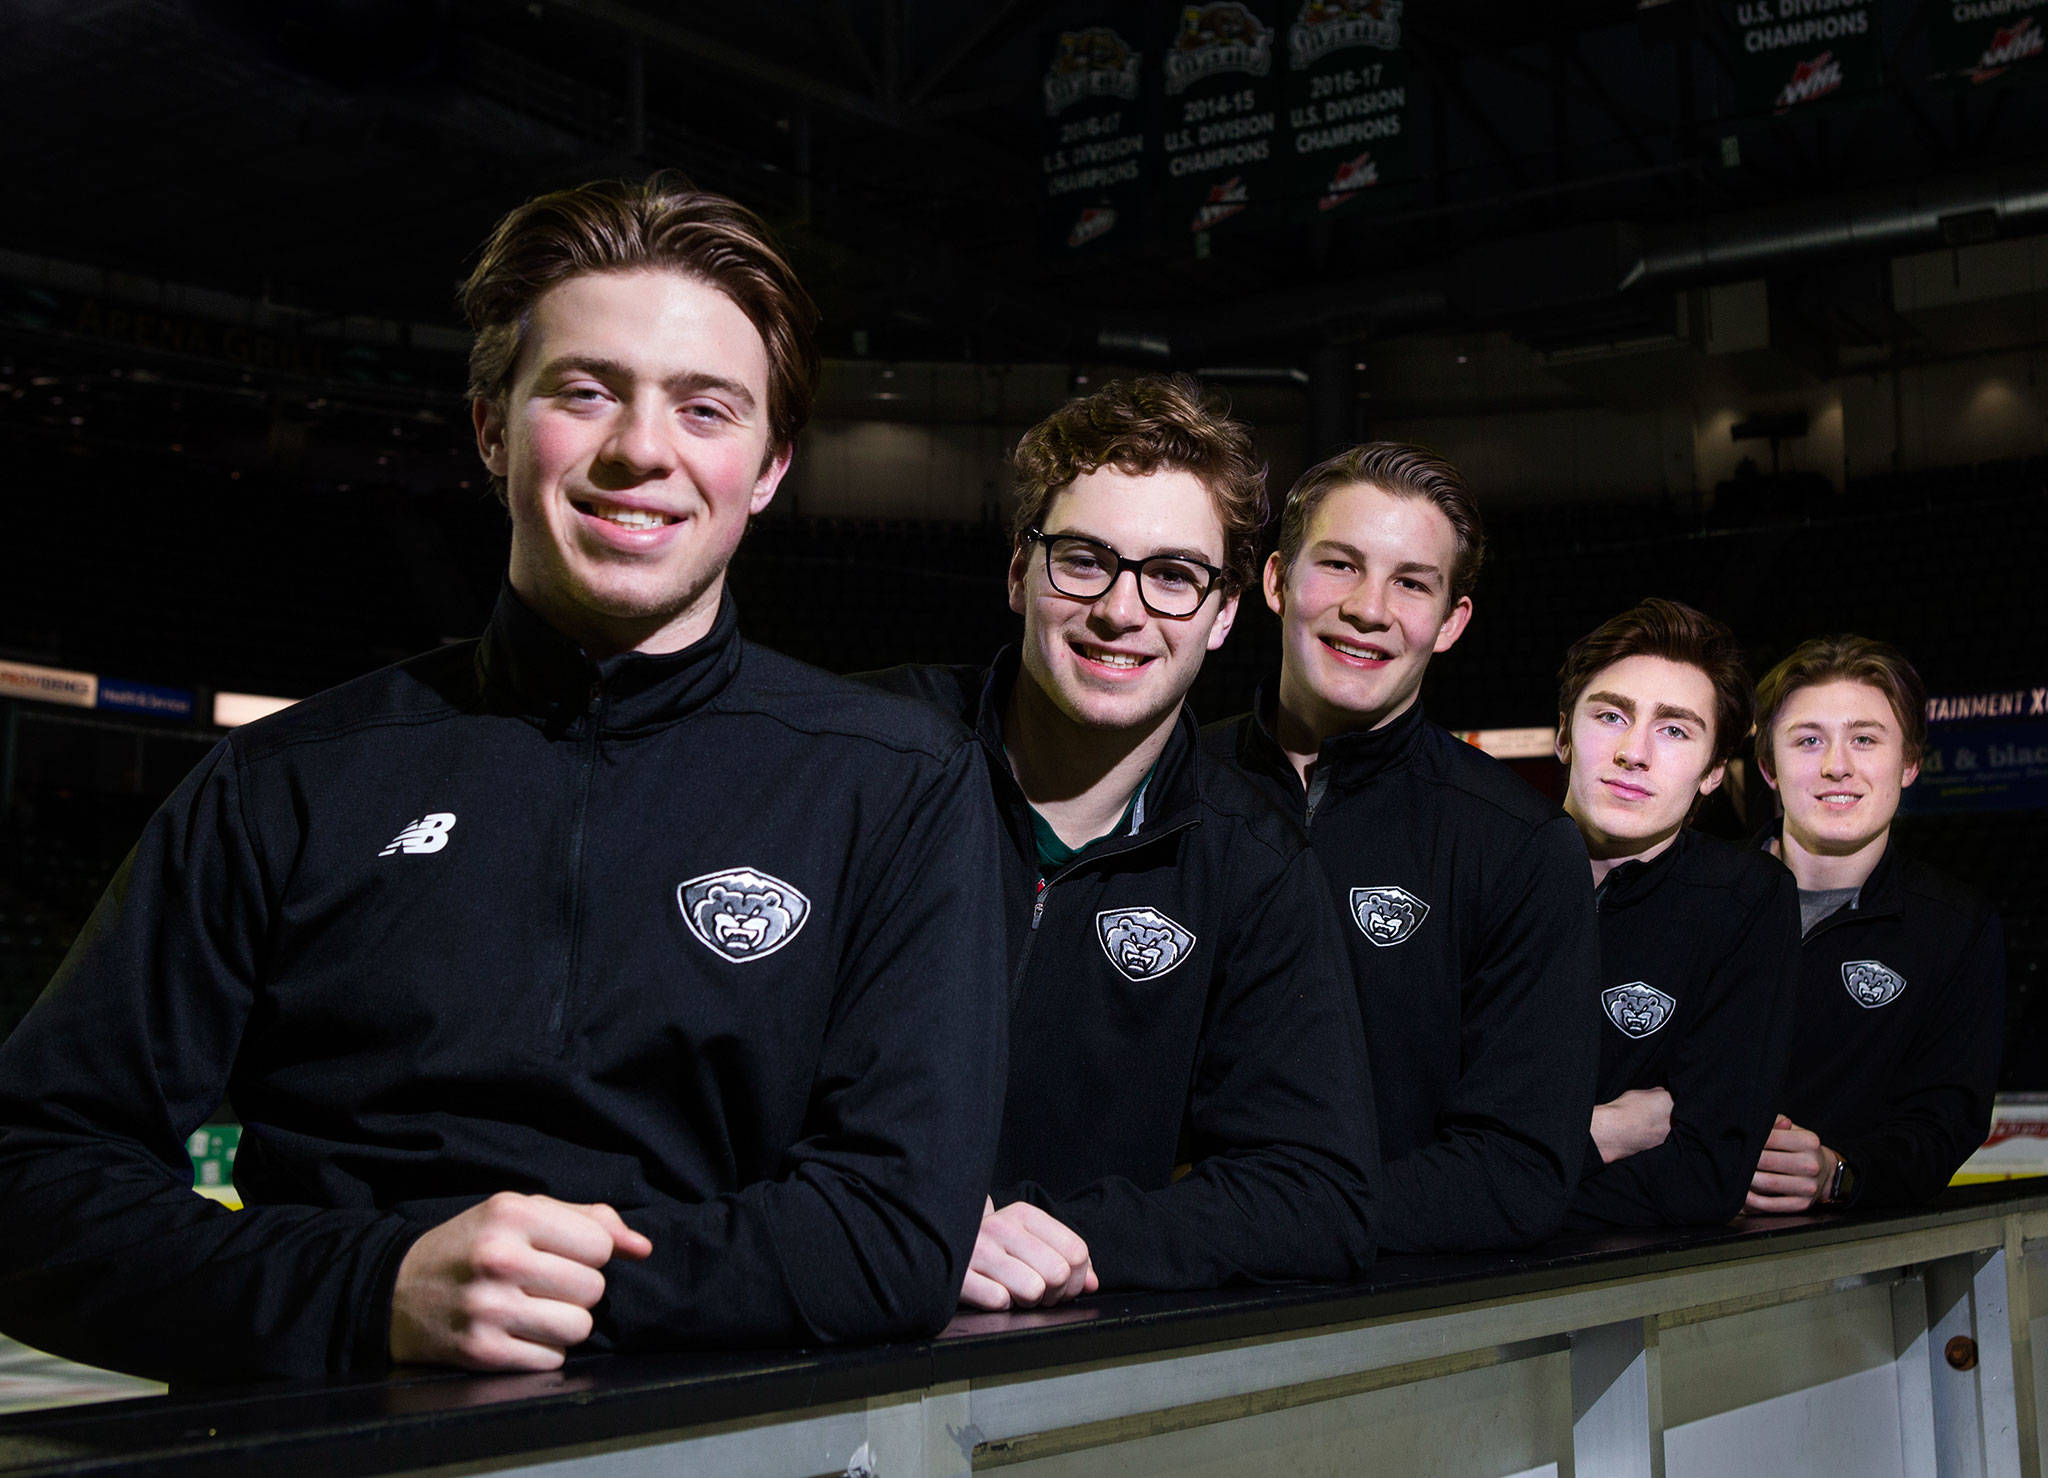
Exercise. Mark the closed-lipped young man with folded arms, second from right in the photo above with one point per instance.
(1699, 939)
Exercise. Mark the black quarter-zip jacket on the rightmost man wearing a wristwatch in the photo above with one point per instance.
(1900, 1031)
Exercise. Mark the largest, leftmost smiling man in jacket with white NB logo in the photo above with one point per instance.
(607, 984)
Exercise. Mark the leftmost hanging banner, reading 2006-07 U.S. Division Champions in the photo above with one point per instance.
(1095, 140)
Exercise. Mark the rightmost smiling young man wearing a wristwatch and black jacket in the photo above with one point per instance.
(1902, 996)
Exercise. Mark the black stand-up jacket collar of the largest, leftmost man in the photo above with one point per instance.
(546, 675)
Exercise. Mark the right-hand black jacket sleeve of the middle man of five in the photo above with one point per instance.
(1510, 1137)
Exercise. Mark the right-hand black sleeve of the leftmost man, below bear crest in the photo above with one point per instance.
(869, 1227)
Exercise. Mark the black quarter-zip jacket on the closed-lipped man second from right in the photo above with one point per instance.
(1699, 959)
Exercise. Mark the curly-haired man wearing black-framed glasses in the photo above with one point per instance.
(1189, 1098)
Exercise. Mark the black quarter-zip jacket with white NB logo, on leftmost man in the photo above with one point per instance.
(695, 934)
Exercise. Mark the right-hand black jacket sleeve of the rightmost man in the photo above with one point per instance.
(1943, 1090)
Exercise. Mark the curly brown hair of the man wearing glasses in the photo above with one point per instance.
(1142, 427)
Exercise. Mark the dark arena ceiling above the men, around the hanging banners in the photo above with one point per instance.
(349, 155)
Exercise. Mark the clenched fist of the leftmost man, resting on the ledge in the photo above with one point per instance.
(509, 1285)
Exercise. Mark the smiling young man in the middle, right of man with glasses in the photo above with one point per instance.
(1471, 926)
